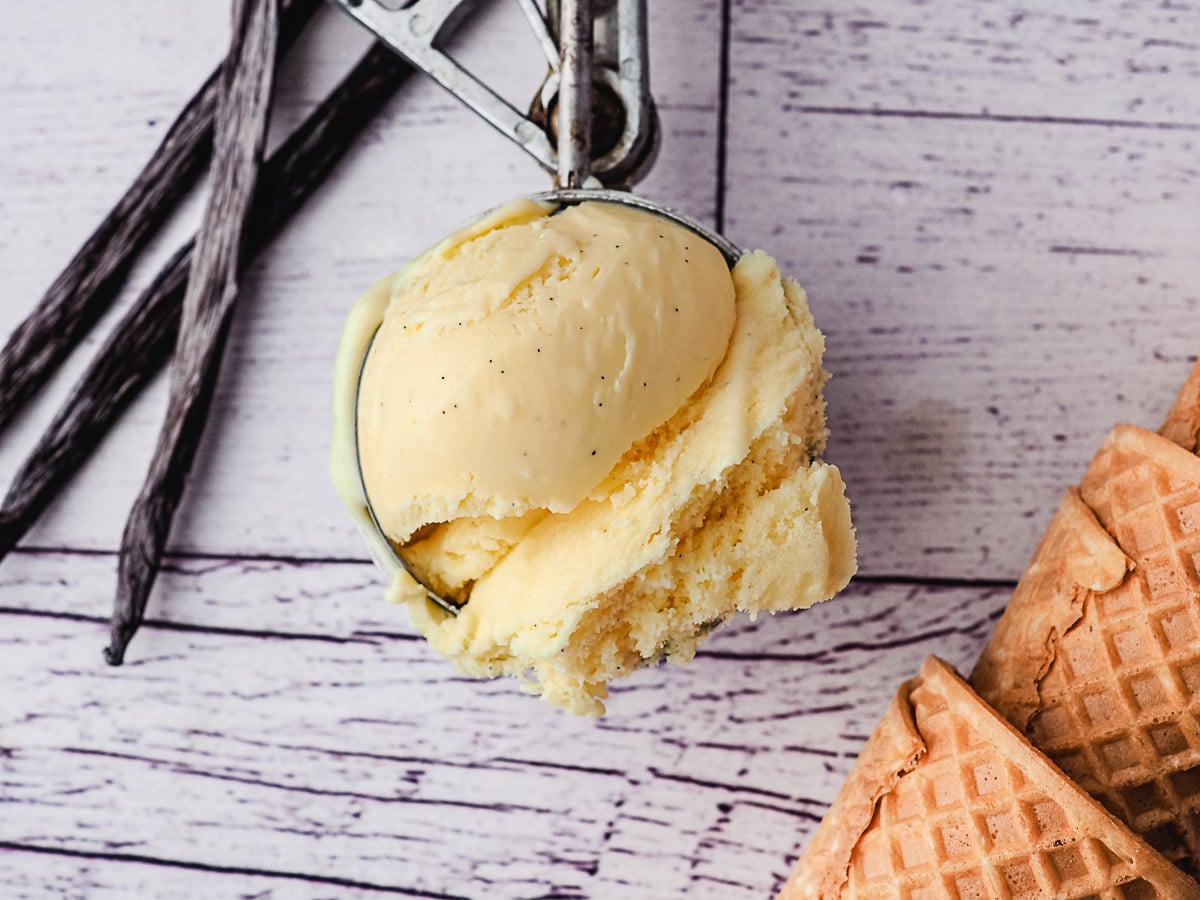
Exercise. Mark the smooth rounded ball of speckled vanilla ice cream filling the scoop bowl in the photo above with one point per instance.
(526, 356)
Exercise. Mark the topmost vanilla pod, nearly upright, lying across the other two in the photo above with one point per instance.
(239, 135)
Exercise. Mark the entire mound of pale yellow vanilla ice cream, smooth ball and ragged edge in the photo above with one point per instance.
(587, 428)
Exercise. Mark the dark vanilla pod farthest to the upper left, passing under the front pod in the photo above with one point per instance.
(85, 291)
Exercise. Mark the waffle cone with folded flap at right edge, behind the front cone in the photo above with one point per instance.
(1097, 661)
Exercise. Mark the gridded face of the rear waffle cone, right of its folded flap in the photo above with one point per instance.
(1119, 706)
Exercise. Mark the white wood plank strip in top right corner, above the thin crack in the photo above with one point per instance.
(1126, 61)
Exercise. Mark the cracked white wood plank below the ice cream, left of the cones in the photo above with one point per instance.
(368, 760)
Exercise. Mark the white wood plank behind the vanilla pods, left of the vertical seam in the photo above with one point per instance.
(425, 167)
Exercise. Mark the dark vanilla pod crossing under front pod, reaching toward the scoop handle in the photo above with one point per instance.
(143, 340)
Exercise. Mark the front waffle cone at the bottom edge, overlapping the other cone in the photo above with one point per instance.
(949, 801)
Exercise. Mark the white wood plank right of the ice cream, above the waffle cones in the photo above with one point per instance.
(995, 298)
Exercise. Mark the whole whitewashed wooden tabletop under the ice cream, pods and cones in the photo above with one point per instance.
(995, 208)
